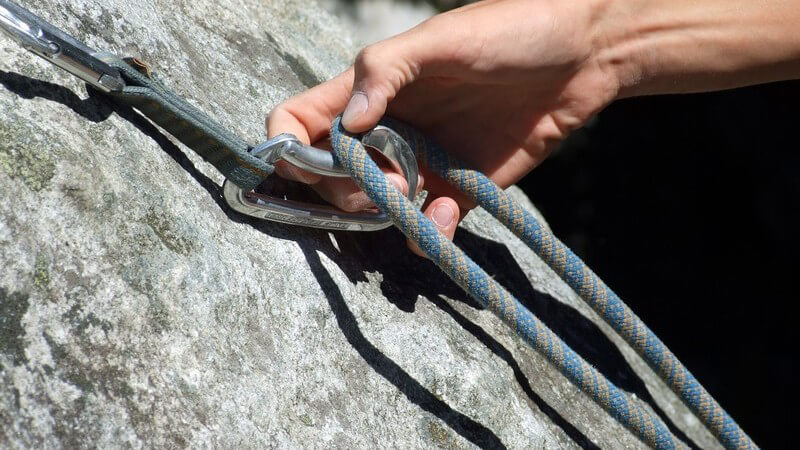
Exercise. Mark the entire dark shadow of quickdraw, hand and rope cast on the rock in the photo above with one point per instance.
(405, 278)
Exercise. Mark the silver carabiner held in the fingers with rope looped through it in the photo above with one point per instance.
(287, 147)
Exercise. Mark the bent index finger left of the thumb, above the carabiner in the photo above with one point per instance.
(309, 115)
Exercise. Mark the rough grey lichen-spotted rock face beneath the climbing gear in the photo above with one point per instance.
(137, 310)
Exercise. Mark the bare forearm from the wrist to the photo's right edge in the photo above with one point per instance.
(670, 46)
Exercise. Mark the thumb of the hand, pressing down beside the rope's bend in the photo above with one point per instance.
(381, 71)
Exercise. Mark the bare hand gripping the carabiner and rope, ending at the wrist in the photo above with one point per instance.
(497, 84)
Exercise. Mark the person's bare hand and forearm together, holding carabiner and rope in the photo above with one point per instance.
(499, 83)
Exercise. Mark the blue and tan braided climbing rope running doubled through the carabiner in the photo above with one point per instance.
(350, 153)
